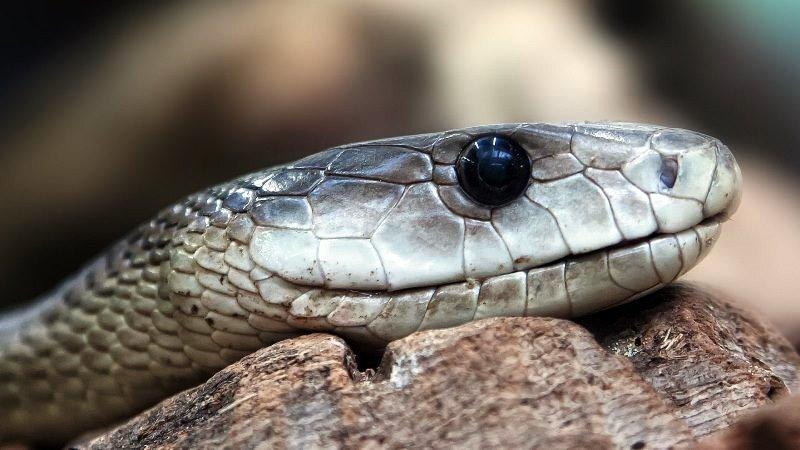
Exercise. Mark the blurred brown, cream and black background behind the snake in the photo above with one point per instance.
(110, 111)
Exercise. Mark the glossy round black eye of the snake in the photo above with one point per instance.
(493, 170)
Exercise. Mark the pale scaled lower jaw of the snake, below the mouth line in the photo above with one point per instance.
(569, 287)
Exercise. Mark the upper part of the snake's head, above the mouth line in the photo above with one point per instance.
(417, 211)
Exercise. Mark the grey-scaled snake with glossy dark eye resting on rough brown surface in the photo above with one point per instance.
(371, 241)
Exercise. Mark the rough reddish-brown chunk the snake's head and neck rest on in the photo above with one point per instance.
(655, 374)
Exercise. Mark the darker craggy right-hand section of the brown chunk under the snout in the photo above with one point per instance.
(712, 360)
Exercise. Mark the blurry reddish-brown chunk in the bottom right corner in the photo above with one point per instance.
(776, 427)
